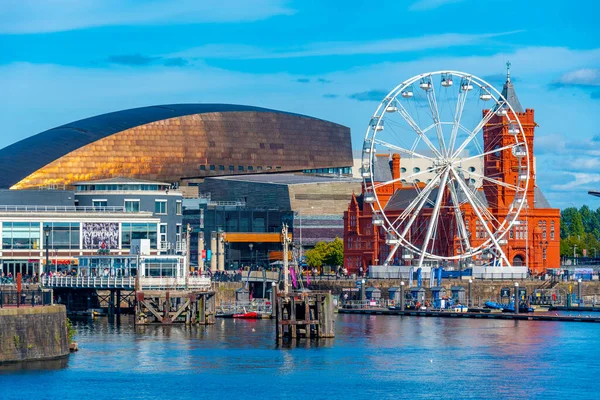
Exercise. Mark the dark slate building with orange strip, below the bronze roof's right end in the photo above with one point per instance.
(311, 204)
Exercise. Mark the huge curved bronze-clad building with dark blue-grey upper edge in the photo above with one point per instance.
(176, 143)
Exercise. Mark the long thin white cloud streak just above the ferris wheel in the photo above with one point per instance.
(388, 46)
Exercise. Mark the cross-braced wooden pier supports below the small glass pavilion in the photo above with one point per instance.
(167, 307)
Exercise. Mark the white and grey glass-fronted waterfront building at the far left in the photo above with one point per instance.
(54, 227)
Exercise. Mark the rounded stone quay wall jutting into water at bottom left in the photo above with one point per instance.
(33, 333)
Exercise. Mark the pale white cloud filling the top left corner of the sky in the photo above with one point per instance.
(34, 16)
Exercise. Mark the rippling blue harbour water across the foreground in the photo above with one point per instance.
(371, 356)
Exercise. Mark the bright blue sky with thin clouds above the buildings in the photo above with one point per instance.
(63, 60)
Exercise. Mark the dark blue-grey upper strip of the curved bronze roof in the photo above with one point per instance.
(20, 159)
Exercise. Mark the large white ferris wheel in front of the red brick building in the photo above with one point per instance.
(454, 200)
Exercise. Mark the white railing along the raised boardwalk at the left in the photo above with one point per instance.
(128, 283)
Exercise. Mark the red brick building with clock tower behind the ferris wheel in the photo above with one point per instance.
(533, 242)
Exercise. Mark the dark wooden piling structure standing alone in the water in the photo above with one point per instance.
(304, 315)
